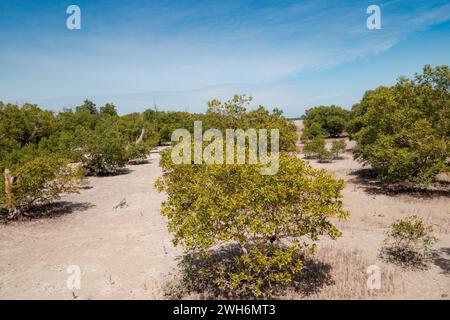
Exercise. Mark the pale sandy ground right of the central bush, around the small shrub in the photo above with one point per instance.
(372, 211)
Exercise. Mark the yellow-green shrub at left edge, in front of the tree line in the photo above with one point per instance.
(40, 181)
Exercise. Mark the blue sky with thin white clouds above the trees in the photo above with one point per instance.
(178, 54)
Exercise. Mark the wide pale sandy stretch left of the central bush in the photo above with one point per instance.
(123, 253)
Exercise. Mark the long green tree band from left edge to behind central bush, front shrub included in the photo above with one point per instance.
(44, 154)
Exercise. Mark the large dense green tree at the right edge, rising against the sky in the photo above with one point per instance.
(403, 131)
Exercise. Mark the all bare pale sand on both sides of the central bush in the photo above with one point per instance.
(127, 253)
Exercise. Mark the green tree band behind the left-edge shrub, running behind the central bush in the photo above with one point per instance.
(102, 141)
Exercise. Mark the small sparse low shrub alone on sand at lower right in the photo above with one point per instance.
(408, 242)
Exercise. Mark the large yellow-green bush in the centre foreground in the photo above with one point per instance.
(272, 219)
